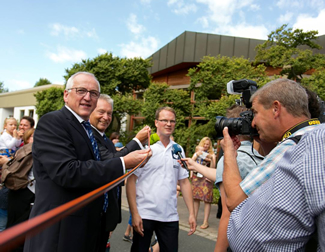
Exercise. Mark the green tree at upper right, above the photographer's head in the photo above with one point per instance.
(290, 50)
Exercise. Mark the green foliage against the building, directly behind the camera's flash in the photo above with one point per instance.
(209, 82)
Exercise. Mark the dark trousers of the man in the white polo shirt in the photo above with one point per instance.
(167, 235)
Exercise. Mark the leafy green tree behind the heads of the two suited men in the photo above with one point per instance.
(118, 78)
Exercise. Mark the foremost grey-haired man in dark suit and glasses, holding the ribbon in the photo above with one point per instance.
(65, 168)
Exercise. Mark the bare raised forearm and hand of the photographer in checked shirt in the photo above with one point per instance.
(231, 177)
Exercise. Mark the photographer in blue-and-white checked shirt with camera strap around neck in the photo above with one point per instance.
(284, 212)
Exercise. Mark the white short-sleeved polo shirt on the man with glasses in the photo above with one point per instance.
(156, 185)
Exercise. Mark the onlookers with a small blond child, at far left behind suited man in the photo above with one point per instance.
(15, 203)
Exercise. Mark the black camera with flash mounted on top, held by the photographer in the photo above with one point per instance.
(243, 124)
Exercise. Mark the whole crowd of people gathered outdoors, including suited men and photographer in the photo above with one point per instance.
(272, 196)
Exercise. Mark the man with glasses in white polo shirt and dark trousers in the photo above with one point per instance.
(152, 191)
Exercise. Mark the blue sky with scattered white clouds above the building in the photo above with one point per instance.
(42, 38)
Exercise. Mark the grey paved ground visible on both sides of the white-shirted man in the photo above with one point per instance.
(203, 240)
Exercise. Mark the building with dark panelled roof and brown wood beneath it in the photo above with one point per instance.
(170, 63)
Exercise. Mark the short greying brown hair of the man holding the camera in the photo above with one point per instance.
(289, 93)
